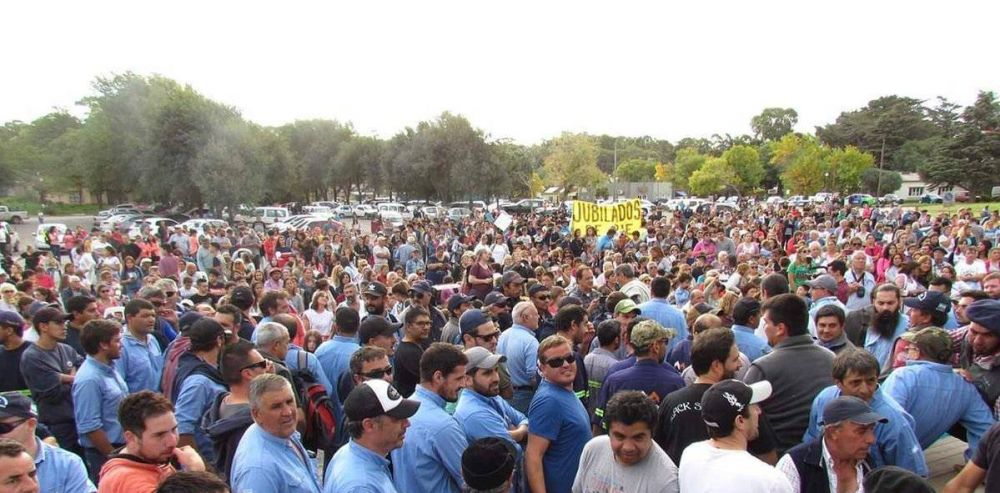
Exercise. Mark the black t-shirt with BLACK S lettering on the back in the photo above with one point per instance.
(680, 424)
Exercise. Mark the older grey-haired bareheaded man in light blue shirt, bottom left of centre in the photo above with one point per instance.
(270, 456)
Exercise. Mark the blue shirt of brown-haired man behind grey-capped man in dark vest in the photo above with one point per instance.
(896, 442)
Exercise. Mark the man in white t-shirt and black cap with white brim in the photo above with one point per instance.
(730, 410)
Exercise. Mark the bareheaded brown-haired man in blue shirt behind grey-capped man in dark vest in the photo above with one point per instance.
(855, 373)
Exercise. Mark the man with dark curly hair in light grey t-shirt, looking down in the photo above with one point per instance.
(627, 457)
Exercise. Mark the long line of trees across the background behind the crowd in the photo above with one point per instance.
(150, 138)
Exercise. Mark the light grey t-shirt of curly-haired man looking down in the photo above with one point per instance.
(599, 472)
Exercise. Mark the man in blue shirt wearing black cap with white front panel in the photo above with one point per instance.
(377, 419)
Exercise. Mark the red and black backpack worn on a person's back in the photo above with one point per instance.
(321, 423)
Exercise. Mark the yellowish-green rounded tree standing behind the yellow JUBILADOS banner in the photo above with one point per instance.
(572, 162)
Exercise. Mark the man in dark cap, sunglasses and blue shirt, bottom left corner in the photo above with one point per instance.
(58, 470)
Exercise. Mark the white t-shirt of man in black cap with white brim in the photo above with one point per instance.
(706, 469)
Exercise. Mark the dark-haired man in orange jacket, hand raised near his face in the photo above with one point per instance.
(150, 446)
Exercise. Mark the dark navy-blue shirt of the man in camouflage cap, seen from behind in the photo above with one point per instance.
(655, 379)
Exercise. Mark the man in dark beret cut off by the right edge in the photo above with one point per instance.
(980, 351)
